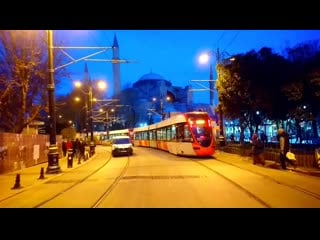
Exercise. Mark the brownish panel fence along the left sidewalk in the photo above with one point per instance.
(18, 151)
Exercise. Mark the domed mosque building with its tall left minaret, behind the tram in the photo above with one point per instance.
(152, 97)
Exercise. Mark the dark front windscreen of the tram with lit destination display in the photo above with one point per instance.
(201, 129)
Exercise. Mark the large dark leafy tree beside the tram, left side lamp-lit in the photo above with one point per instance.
(250, 86)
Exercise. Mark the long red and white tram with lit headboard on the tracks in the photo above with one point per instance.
(185, 134)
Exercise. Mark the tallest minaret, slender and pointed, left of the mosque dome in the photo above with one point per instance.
(116, 67)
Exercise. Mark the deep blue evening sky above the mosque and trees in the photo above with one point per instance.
(172, 54)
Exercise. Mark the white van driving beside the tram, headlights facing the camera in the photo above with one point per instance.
(121, 145)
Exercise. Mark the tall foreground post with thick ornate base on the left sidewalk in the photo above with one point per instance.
(53, 154)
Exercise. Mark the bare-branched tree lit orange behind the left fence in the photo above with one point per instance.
(23, 77)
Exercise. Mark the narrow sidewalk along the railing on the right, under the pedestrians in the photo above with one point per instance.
(235, 158)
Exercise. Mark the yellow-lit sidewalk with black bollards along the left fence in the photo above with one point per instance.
(10, 183)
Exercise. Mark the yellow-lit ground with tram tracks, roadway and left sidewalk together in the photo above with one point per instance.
(152, 179)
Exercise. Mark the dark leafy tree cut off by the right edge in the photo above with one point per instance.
(304, 90)
